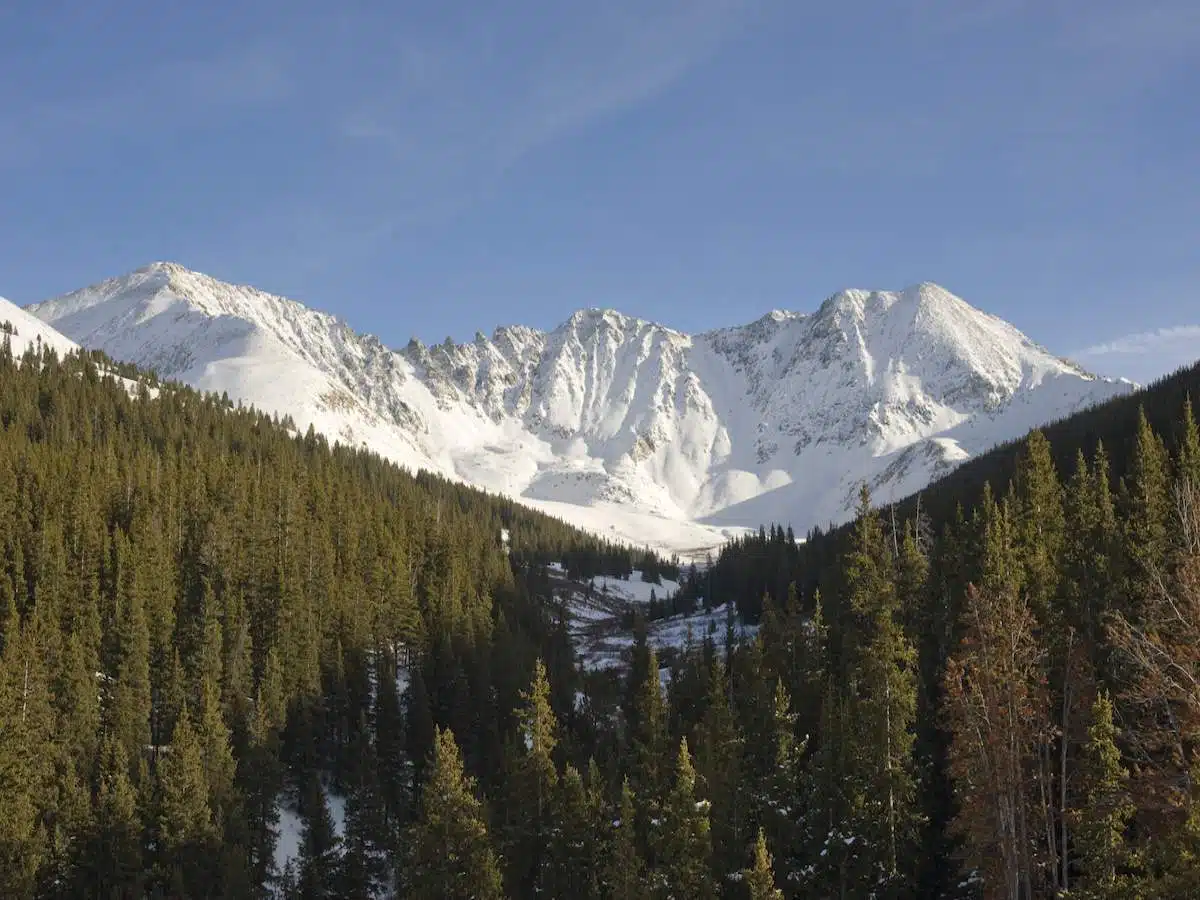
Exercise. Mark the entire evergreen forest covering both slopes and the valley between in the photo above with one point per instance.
(214, 629)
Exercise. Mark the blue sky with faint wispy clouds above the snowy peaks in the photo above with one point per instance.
(435, 170)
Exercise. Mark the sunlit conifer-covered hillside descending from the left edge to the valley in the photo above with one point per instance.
(201, 614)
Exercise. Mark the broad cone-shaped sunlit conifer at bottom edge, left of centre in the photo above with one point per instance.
(453, 856)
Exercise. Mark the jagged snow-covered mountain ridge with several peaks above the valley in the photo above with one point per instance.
(611, 422)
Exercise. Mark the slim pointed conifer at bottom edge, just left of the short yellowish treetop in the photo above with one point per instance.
(685, 854)
